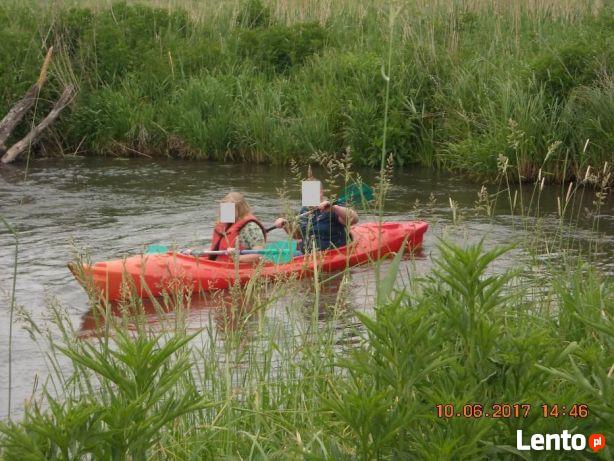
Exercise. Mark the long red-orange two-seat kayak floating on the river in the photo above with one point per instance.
(153, 274)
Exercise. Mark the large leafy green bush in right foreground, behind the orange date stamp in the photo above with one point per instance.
(465, 336)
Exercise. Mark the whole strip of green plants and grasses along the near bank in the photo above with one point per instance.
(295, 386)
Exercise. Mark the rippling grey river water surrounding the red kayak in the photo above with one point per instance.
(113, 208)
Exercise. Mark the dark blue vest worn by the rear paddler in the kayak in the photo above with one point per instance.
(323, 228)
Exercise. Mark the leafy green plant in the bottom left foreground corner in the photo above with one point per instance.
(143, 386)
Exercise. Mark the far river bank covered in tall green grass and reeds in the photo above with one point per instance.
(471, 83)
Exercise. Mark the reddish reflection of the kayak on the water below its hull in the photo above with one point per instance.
(231, 310)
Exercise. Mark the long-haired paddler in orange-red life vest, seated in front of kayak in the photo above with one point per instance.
(246, 233)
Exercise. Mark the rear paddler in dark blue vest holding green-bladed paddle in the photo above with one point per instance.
(327, 225)
